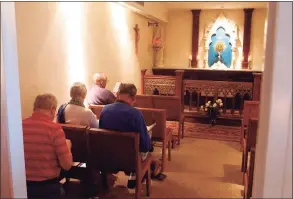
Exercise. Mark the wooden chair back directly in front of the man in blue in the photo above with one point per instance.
(157, 116)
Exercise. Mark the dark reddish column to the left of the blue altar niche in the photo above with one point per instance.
(195, 36)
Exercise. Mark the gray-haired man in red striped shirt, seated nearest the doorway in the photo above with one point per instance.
(46, 150)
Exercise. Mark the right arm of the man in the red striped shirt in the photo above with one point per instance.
(62, 150)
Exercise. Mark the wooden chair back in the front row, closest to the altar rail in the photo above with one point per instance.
(171, 104)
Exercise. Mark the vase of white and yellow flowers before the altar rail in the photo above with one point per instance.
(213, 110)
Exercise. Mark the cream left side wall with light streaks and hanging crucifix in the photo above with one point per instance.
(59, 43)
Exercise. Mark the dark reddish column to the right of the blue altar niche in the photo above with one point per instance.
(246, 36)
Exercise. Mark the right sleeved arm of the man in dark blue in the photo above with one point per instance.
(144, 139)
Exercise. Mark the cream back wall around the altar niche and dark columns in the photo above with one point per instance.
(178, 34)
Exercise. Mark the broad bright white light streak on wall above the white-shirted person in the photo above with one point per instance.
(73, 13)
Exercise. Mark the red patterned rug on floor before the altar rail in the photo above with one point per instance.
(204, 131)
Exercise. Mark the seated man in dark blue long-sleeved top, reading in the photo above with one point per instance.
(122, 116)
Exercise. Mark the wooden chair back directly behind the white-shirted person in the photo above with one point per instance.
(78, 136)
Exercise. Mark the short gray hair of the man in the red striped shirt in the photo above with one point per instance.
(45, 101)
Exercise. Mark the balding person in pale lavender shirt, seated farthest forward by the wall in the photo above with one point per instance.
(98, 94)
